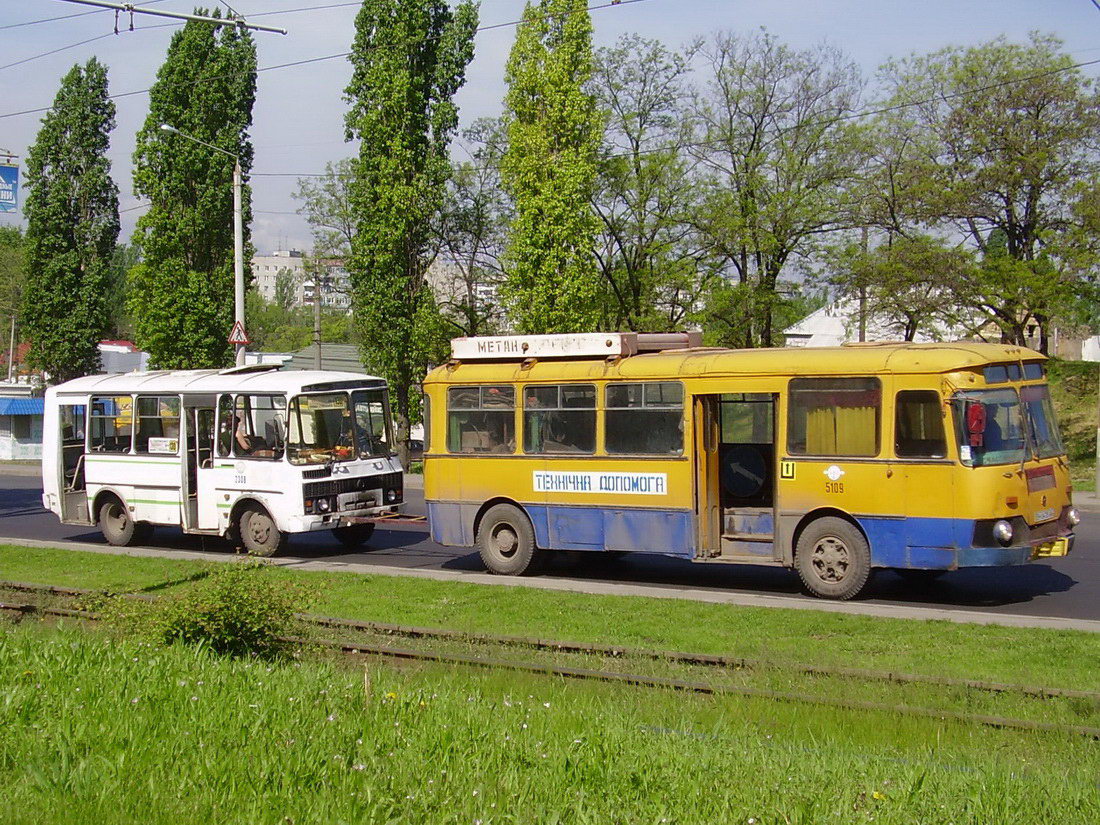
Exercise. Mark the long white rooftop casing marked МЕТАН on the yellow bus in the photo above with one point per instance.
(570, 346)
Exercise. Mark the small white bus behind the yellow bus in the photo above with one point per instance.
(252, 454)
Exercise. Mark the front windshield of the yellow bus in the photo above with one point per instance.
(1015, 426)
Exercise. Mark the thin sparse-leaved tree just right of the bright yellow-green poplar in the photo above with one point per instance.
(647, 251)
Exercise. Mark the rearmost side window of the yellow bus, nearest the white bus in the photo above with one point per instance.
(481, 420)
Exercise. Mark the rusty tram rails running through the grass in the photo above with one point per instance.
(362, 648)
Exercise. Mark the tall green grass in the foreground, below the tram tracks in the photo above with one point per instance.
(105, 731)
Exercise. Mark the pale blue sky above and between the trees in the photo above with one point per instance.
(299, 117)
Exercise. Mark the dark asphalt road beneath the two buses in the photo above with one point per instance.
(1066, 588)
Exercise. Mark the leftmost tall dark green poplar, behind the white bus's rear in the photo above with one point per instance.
(73, 225)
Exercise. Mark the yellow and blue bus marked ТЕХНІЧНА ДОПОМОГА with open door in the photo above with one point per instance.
(920, 458)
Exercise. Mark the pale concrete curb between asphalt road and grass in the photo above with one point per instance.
(602, 588)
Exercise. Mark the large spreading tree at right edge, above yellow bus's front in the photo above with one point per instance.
(1005, 168)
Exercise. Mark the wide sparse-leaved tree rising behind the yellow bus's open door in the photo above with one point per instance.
(777, 161)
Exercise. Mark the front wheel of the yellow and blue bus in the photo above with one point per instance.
(833, 559)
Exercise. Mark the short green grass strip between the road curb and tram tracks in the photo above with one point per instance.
(1050, 658)
